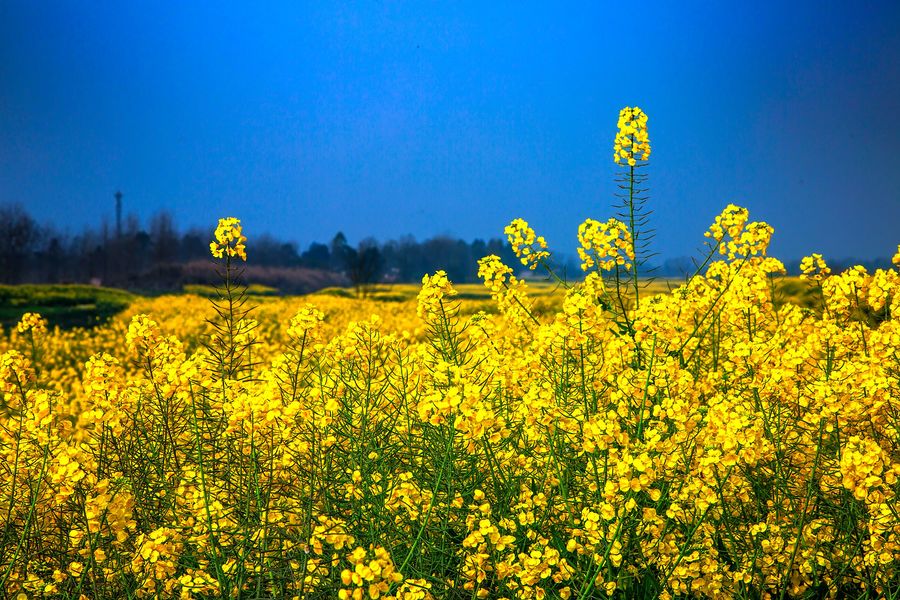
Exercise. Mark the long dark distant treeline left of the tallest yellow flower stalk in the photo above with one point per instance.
(159, 256)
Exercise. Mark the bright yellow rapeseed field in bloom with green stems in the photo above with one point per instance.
(598, 441)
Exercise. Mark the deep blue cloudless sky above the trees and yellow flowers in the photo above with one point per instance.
(305, 118)
